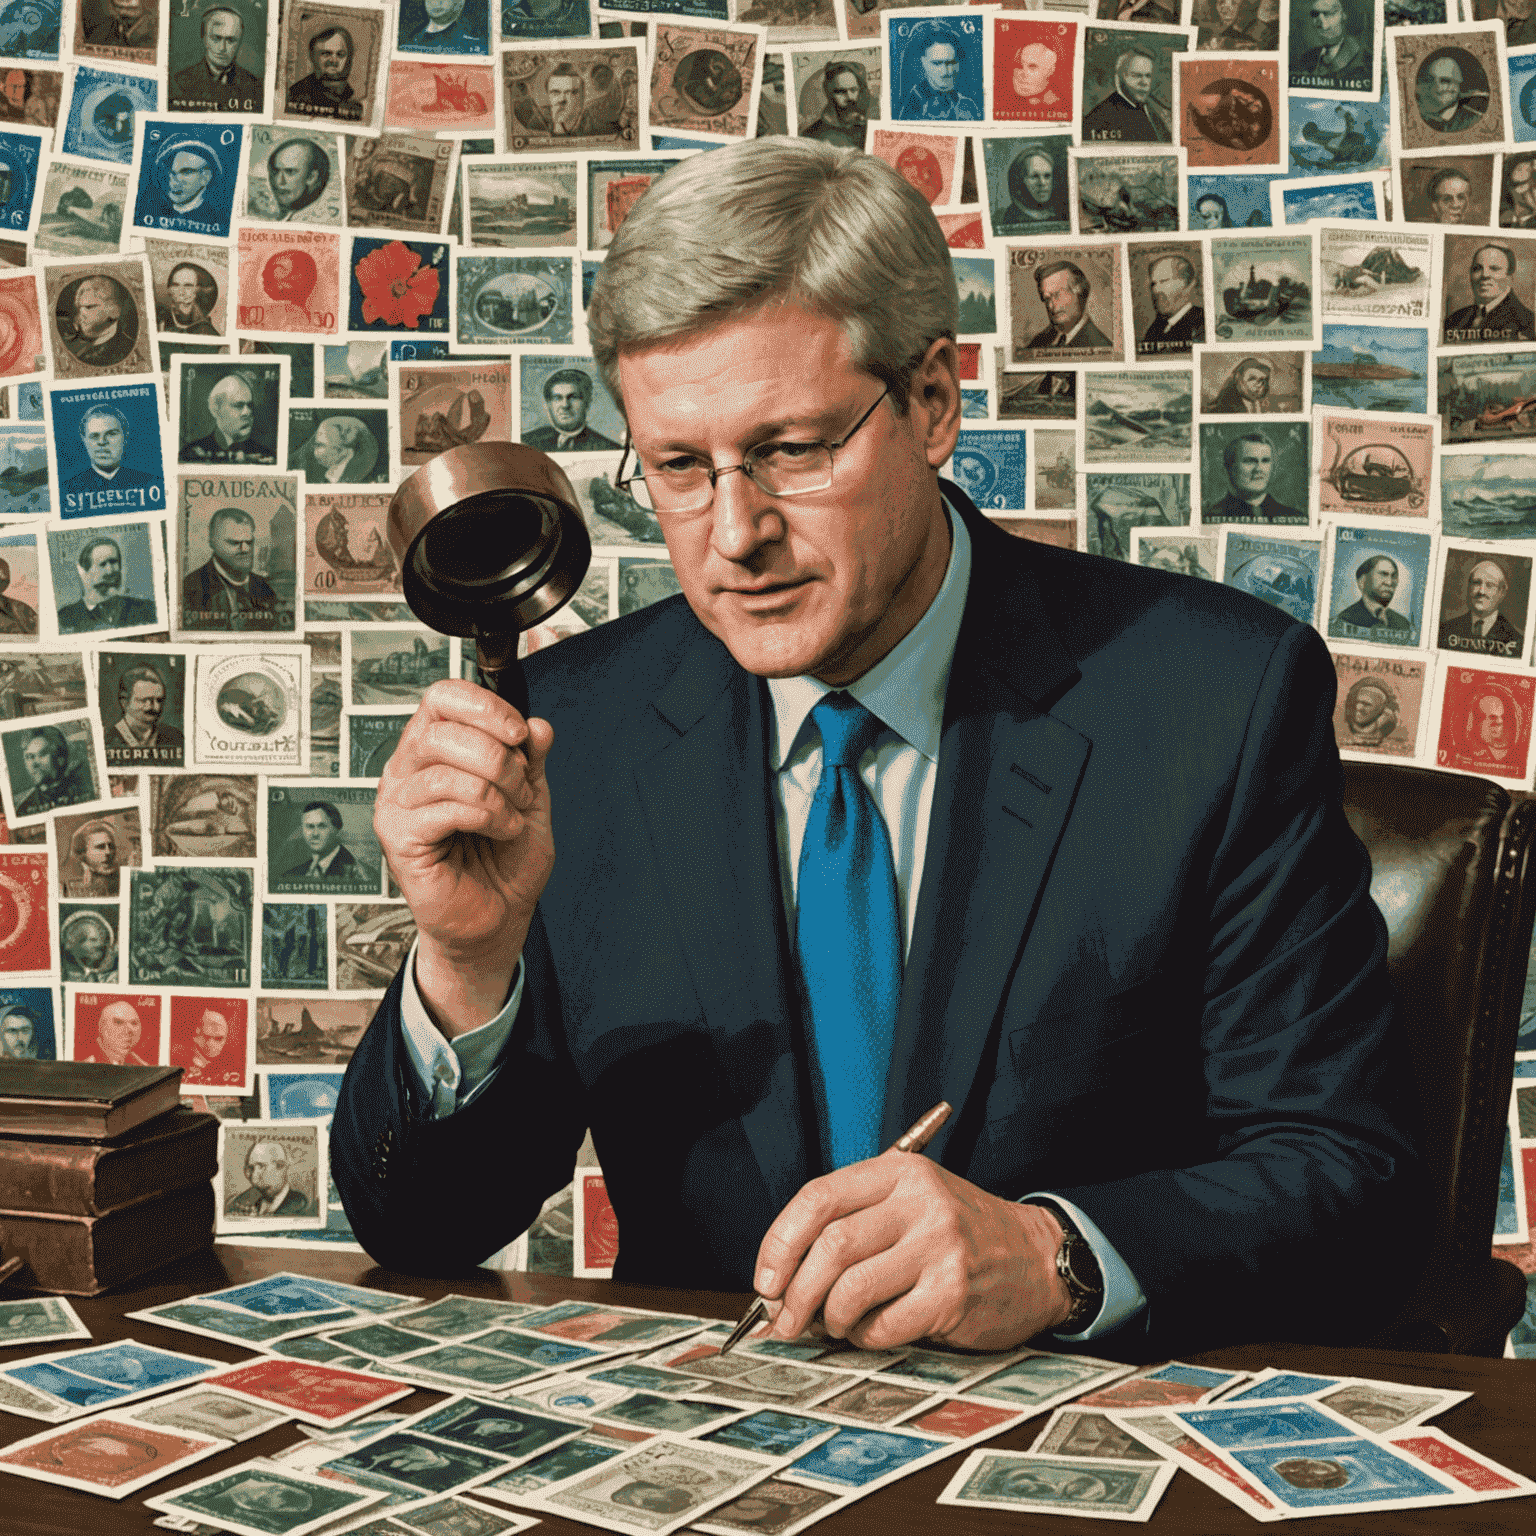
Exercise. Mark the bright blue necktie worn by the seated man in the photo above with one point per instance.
(850, 936)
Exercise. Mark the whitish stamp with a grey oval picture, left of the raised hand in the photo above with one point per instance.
(250, 707)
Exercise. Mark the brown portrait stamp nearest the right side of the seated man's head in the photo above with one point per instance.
(1067, 303)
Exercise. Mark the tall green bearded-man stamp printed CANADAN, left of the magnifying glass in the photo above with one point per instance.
(237, 554)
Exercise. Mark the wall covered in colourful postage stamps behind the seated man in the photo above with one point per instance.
(1246, 293)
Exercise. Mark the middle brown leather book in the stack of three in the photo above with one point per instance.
(90, 1179)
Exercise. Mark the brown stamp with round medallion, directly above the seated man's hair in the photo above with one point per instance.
(707, 79)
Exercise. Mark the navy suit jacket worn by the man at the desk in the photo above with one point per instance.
(1145, 968)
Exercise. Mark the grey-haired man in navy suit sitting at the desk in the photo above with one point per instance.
(987, 709)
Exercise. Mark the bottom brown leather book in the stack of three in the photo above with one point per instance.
(85, 1256)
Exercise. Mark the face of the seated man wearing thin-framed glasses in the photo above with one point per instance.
(821, 584)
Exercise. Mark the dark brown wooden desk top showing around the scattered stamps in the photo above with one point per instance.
(1497, 1422)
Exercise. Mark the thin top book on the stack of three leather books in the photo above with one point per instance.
(84, 1099)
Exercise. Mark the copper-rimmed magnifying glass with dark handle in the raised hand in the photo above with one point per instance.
(491, 543)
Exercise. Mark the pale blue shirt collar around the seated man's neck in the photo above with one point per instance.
(905, 689)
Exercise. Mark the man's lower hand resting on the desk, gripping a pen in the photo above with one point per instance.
(898, 1250)
